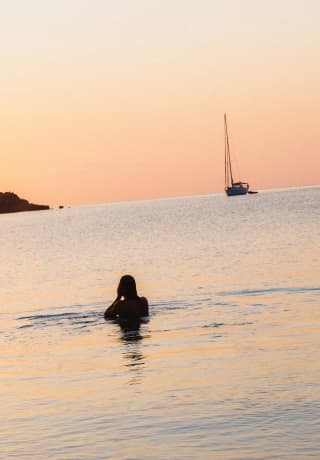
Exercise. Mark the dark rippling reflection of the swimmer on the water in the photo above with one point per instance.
(133, 355)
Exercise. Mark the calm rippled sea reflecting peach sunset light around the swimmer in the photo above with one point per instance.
(228, 365)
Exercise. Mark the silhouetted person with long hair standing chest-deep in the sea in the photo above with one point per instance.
(127, 305)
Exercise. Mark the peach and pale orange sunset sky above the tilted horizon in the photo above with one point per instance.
(110, 100)
